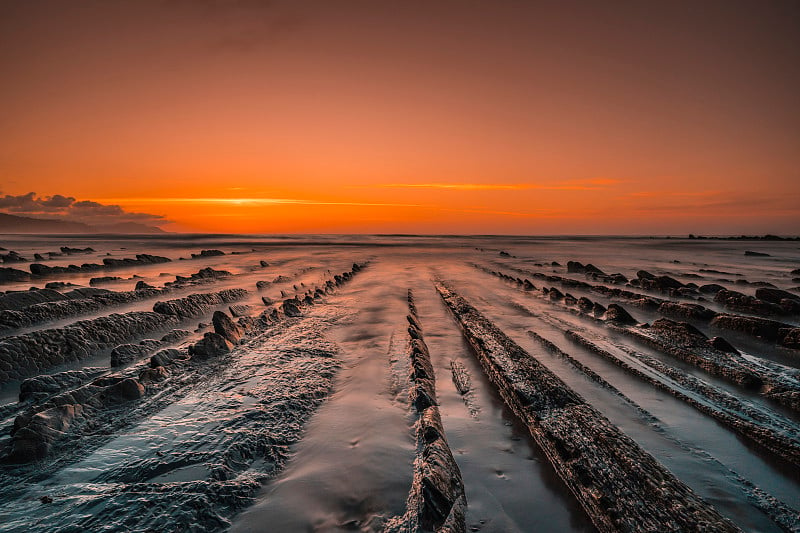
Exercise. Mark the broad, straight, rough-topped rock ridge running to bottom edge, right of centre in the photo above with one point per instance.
(620, 486)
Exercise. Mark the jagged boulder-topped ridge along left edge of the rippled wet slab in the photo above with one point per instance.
(59, 413)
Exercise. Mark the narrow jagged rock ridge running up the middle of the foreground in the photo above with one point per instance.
(436, 501)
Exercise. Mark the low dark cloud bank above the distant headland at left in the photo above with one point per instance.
(68, 208)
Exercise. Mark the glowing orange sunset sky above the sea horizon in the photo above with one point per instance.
(515, 117)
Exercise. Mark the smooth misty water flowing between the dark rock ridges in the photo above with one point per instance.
(227, 448)
